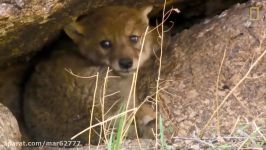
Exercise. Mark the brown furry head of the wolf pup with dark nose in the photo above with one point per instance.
(113, 36)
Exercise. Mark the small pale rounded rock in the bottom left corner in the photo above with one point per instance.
(9, 130)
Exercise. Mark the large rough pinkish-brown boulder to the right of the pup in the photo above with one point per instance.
(190, 93)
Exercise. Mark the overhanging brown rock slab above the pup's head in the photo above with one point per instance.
(26, 26)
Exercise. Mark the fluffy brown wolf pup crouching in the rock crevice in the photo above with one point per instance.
(58, 105)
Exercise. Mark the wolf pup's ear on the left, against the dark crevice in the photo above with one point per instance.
(74, 31)
